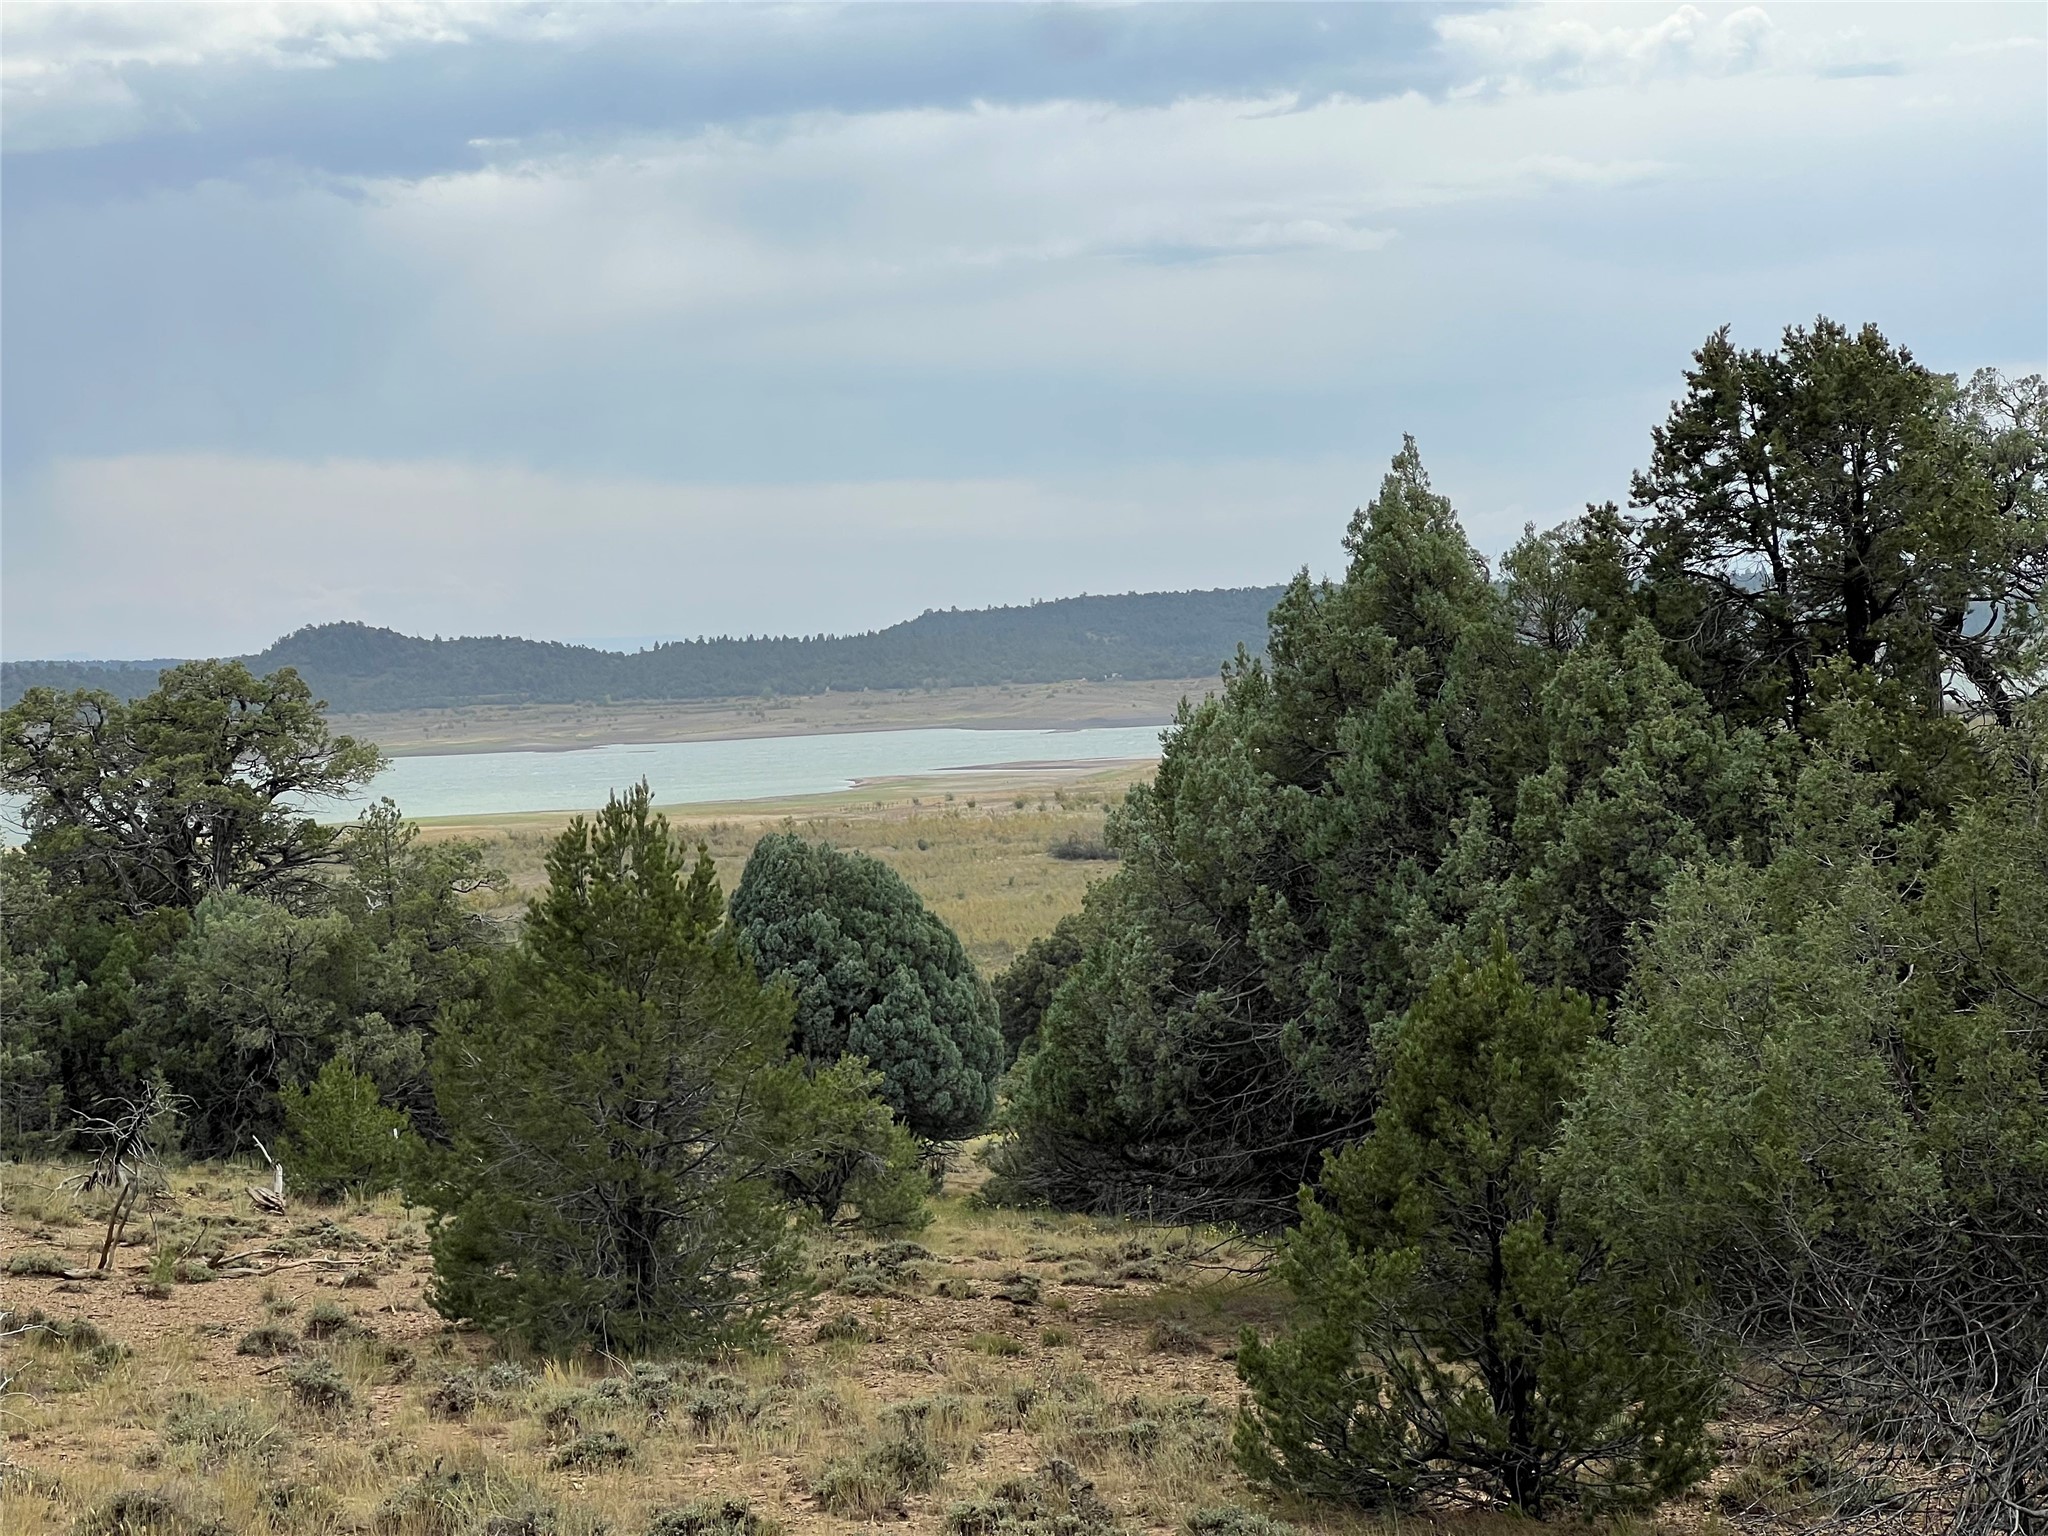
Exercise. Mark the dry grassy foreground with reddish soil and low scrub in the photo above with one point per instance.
(894, 1404)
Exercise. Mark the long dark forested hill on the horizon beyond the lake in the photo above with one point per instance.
(359, 669)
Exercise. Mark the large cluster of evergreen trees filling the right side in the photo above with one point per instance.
(1639, 953)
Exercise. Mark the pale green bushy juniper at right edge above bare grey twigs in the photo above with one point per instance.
(1828, 1103)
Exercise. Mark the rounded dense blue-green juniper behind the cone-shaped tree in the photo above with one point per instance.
(876, 976)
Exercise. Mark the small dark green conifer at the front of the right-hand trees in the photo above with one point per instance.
(1457, 1330)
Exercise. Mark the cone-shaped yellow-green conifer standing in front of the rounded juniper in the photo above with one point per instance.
(620, 1109)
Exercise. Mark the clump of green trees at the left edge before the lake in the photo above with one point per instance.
(179, 912)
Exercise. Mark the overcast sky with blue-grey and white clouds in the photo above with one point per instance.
(624, 323)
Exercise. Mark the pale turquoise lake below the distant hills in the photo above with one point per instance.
(755, 769)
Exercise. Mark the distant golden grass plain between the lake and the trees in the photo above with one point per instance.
(978, 855)
